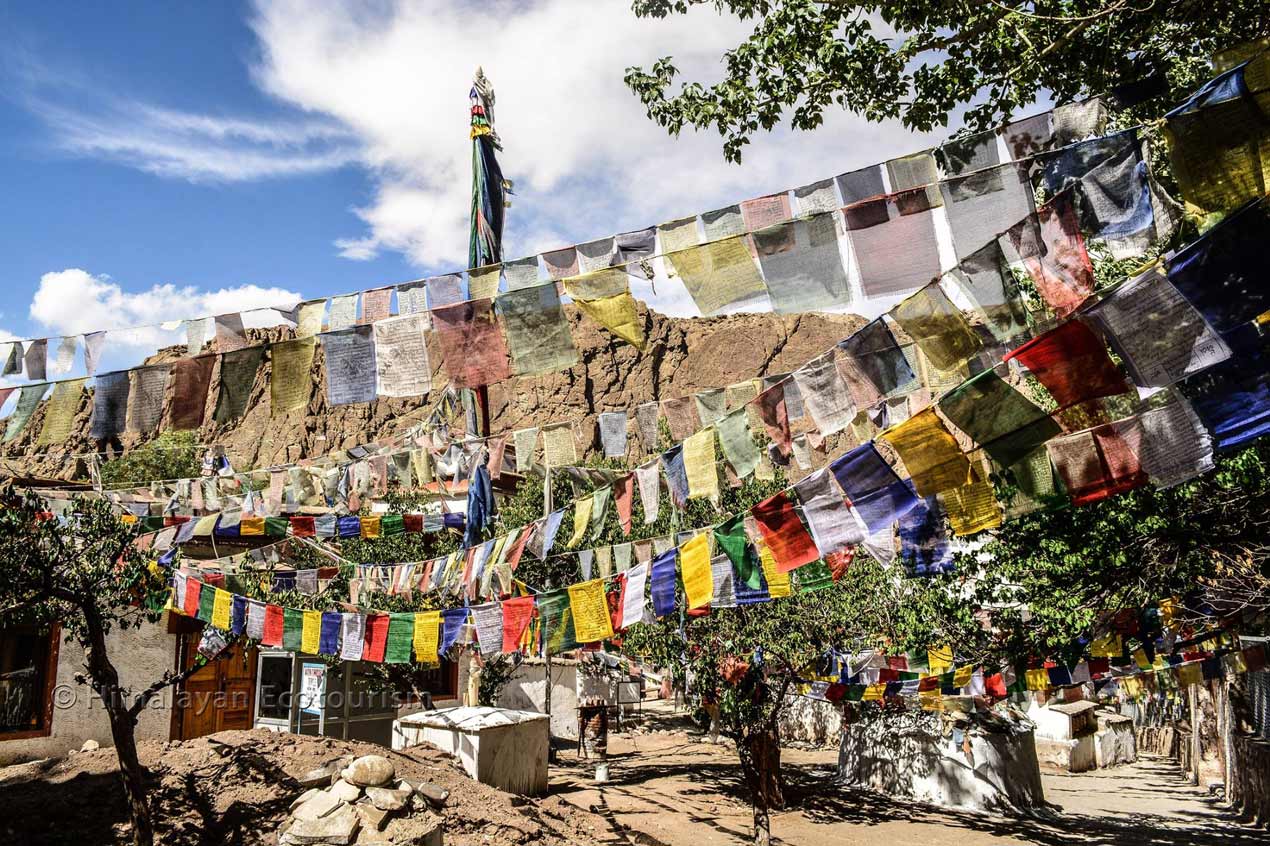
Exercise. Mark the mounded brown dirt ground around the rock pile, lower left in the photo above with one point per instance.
(237, 787)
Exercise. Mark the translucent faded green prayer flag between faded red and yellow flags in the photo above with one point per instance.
(538, 332)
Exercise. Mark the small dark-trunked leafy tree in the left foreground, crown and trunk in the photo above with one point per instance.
(86, 574)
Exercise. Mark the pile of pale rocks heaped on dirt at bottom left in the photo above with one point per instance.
(360, 801)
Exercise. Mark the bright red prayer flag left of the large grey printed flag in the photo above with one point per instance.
(1073, 364)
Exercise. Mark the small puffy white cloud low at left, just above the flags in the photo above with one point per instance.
(76, 302)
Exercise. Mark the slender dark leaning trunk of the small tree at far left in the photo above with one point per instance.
(106, 683)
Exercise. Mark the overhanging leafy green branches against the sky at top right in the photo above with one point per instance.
(923, 60)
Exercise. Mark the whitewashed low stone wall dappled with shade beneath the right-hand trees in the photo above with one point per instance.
(907, 756)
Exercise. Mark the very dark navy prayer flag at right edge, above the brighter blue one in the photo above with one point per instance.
(1221, 272)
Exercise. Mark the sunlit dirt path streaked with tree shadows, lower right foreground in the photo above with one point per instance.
(678, 791)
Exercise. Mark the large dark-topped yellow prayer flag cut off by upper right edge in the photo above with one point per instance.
(1219, 140)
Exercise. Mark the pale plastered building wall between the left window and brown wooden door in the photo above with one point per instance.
(142, 656)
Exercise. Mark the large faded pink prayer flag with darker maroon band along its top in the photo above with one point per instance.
(887, 227)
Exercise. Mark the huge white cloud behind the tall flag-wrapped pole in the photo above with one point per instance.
(585, 158)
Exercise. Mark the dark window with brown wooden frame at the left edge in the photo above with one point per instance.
(29, 668)
